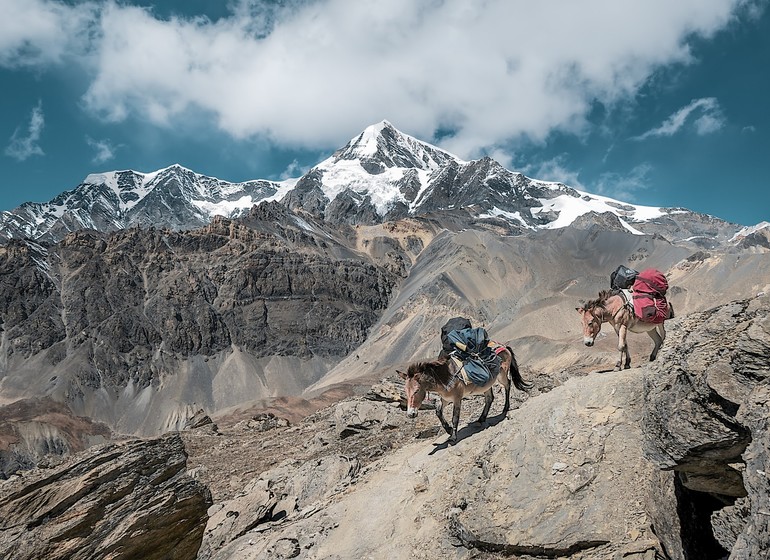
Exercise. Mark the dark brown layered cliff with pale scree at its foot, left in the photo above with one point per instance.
(238, 311)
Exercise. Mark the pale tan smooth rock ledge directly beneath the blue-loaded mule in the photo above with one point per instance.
(564, 475)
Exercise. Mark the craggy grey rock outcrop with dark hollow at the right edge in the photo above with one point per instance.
(706, 420)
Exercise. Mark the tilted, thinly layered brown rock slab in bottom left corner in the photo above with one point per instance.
(124, 501)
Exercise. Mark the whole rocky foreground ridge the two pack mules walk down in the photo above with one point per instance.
(665, 461)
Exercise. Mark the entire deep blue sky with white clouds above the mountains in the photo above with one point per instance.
(658, 103)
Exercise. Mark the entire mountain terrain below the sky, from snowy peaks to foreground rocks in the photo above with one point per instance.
(112, 333)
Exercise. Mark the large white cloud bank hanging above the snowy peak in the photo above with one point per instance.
(311, 74)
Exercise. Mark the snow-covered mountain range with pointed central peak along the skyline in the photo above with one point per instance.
(381, 174)
